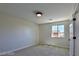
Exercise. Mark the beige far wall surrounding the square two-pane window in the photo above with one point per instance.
(45, 35)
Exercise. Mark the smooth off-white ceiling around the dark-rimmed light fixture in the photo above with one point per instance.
(54, 11)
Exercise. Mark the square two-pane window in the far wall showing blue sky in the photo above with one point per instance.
(57, 31)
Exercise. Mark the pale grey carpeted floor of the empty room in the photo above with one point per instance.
(42, 50)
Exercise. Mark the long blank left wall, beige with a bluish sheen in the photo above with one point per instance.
(17, 33)
